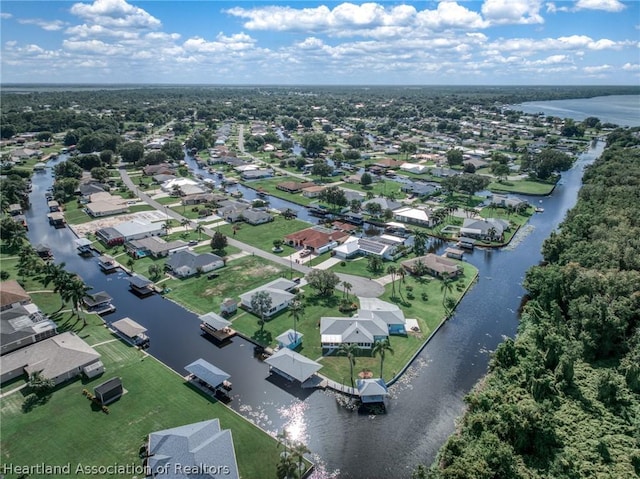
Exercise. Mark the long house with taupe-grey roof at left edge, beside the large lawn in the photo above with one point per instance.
(59, 358)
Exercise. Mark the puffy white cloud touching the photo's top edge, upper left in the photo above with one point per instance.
(115, 14)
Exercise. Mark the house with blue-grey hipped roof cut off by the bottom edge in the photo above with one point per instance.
(201, 450)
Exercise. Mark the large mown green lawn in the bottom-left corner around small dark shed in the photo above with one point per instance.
(156, 398)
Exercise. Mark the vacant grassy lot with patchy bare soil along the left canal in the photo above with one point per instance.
(202, 295)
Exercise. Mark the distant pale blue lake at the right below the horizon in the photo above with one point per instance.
(622, 110)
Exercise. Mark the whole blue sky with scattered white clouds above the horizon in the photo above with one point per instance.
(463, 42)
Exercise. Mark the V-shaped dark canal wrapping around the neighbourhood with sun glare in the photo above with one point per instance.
(424, 403)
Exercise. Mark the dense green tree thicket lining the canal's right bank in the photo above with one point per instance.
(562, 400)
